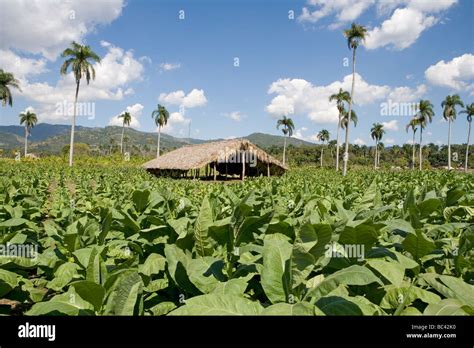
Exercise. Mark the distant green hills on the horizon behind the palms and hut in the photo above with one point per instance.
(50, 139)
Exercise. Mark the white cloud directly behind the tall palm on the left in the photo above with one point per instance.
(117, 70)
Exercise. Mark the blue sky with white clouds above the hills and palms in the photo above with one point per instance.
(289, 62)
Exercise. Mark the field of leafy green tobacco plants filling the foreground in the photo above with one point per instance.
(117, 241)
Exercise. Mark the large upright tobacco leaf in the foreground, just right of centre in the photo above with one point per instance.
(275, 274)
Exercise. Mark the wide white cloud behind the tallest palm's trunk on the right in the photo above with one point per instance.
(298, 96)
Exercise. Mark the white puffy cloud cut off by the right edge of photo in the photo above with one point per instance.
(456, 73)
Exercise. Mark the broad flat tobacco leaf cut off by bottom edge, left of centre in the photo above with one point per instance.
(216, 304)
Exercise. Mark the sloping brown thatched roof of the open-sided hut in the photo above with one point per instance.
(197, 156)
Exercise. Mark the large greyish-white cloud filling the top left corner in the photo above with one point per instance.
(48, 26)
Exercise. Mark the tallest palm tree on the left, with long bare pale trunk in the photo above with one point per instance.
(77, 57)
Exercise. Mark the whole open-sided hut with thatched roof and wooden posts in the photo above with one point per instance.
(221, 158)
